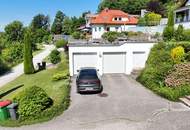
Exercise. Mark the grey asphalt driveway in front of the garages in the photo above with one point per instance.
(126, 105)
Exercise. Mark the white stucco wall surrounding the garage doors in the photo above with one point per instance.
(129, 48)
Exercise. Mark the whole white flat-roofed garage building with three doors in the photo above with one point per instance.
(108, 58)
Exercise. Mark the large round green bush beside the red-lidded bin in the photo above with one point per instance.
(32, 101)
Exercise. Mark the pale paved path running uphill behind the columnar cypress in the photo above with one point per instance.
(18, 70)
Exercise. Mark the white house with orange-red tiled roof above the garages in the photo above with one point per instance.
(111, 20)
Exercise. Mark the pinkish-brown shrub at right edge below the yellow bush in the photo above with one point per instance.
(179, 75)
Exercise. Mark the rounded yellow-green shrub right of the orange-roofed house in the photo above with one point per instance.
(152, 19)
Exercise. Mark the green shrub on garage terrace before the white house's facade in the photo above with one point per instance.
(110, 36)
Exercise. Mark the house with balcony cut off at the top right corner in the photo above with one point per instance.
(182, 15)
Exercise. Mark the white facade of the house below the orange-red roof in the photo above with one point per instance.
(99, 30)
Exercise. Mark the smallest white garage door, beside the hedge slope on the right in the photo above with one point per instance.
(139, 60)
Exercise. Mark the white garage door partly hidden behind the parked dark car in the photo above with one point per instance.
(84, 60)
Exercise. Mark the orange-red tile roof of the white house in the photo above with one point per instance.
(107, 16)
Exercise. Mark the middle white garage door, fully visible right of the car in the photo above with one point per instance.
(114, 62)
